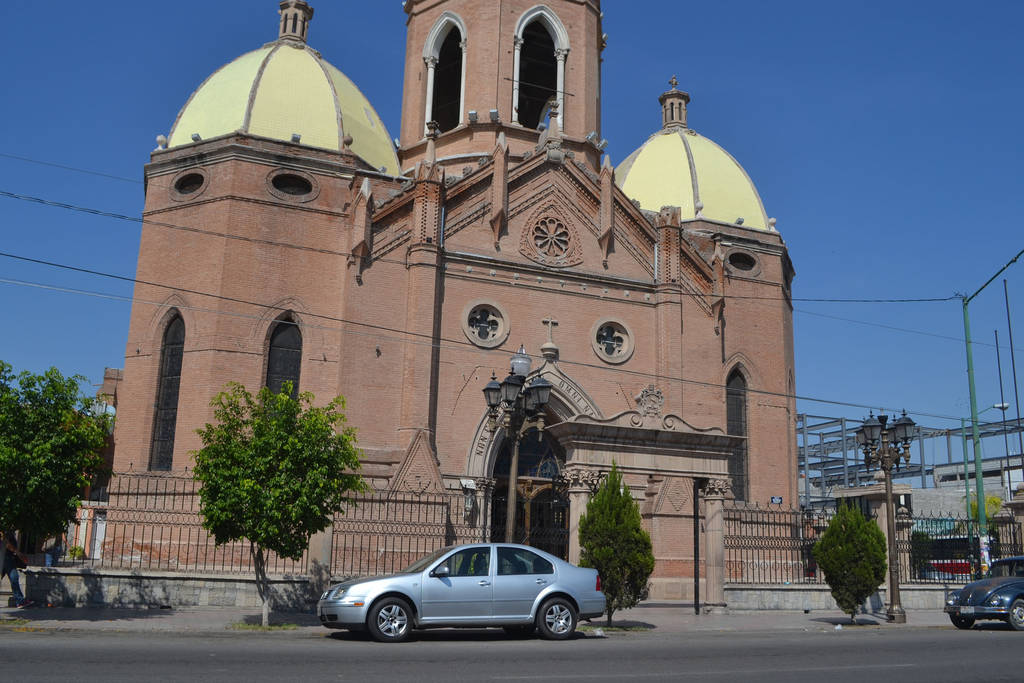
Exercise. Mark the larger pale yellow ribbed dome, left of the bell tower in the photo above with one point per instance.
(285, 90)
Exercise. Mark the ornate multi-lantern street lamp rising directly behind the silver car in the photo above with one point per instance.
(519, 409)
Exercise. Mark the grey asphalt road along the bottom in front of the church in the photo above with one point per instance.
(930, 655)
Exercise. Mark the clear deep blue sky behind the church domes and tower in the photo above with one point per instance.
(885, 138)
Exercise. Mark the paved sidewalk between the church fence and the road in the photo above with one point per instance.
(663, 618)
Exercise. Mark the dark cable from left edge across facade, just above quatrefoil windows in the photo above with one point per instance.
(330, 252)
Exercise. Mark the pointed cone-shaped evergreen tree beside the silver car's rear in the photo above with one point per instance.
(614, 542)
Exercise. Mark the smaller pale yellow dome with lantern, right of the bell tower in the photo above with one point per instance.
(678, 167)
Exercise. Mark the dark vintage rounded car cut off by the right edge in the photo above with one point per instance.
(999, 596)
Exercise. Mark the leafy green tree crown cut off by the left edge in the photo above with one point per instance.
(51, 440)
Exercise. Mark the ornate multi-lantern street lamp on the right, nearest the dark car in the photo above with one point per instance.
(887, 448)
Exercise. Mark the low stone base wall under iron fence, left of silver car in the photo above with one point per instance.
(118, 588)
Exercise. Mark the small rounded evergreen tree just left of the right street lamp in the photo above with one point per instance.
(852, 556)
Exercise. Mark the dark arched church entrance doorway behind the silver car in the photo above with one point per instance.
(542, 517)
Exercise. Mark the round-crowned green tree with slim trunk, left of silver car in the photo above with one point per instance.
(274, 471)
